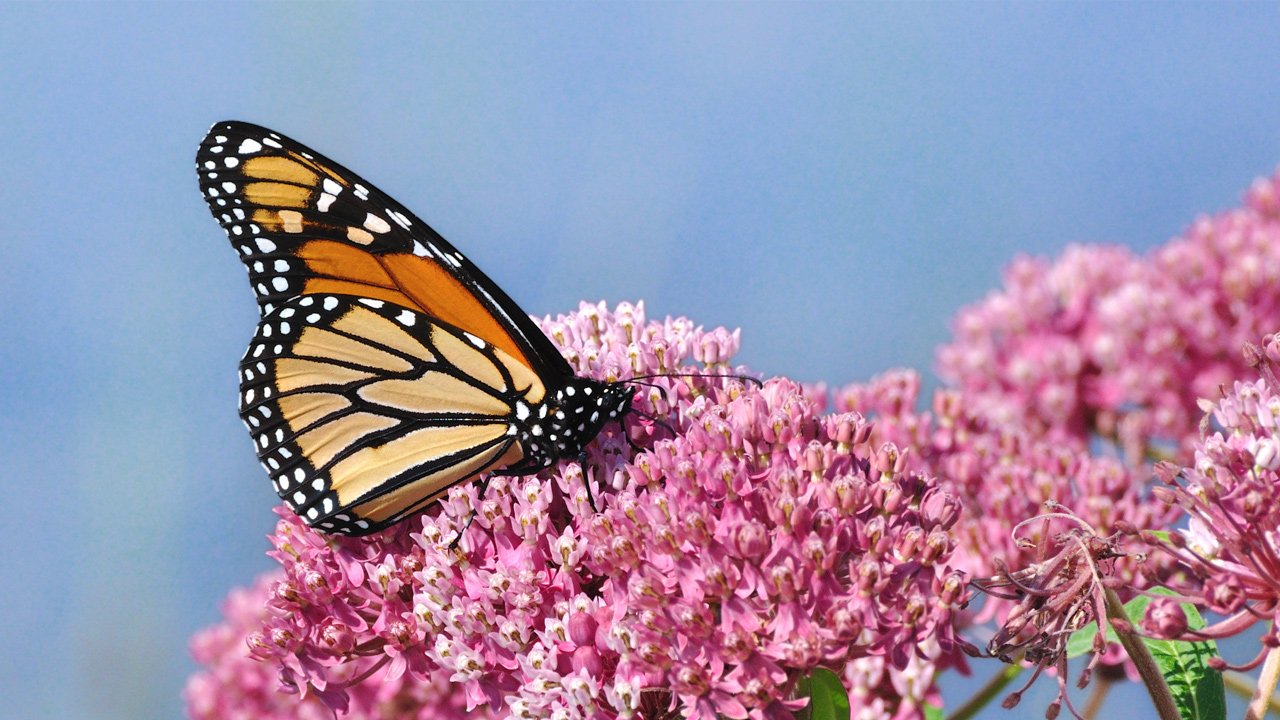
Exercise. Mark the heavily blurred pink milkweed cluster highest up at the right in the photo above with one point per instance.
(1107, 344)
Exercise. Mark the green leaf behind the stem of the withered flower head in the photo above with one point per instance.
(1197, 689)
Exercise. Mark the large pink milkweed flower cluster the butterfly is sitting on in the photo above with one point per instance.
(752, 541)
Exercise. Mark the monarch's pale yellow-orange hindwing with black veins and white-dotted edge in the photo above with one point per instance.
(363, 412)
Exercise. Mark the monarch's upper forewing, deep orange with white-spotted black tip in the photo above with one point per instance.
(305, 225)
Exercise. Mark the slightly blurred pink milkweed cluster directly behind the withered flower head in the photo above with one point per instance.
(1004, 476)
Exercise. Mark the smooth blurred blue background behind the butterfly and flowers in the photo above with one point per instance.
(834, 180)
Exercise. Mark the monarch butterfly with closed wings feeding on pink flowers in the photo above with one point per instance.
(386, 367)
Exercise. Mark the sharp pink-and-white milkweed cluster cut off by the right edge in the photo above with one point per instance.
(1232, 493)
